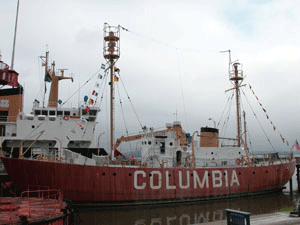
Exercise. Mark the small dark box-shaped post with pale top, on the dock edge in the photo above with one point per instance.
(235, 217)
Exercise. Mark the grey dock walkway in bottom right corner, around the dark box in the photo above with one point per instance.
(280, 218)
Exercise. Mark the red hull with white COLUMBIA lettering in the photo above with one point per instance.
(107, 184)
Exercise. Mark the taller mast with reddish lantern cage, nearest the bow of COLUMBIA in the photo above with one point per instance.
(111, 52)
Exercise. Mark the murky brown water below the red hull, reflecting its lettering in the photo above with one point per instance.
(181, 214)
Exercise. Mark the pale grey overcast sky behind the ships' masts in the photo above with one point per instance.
(170, 61)
